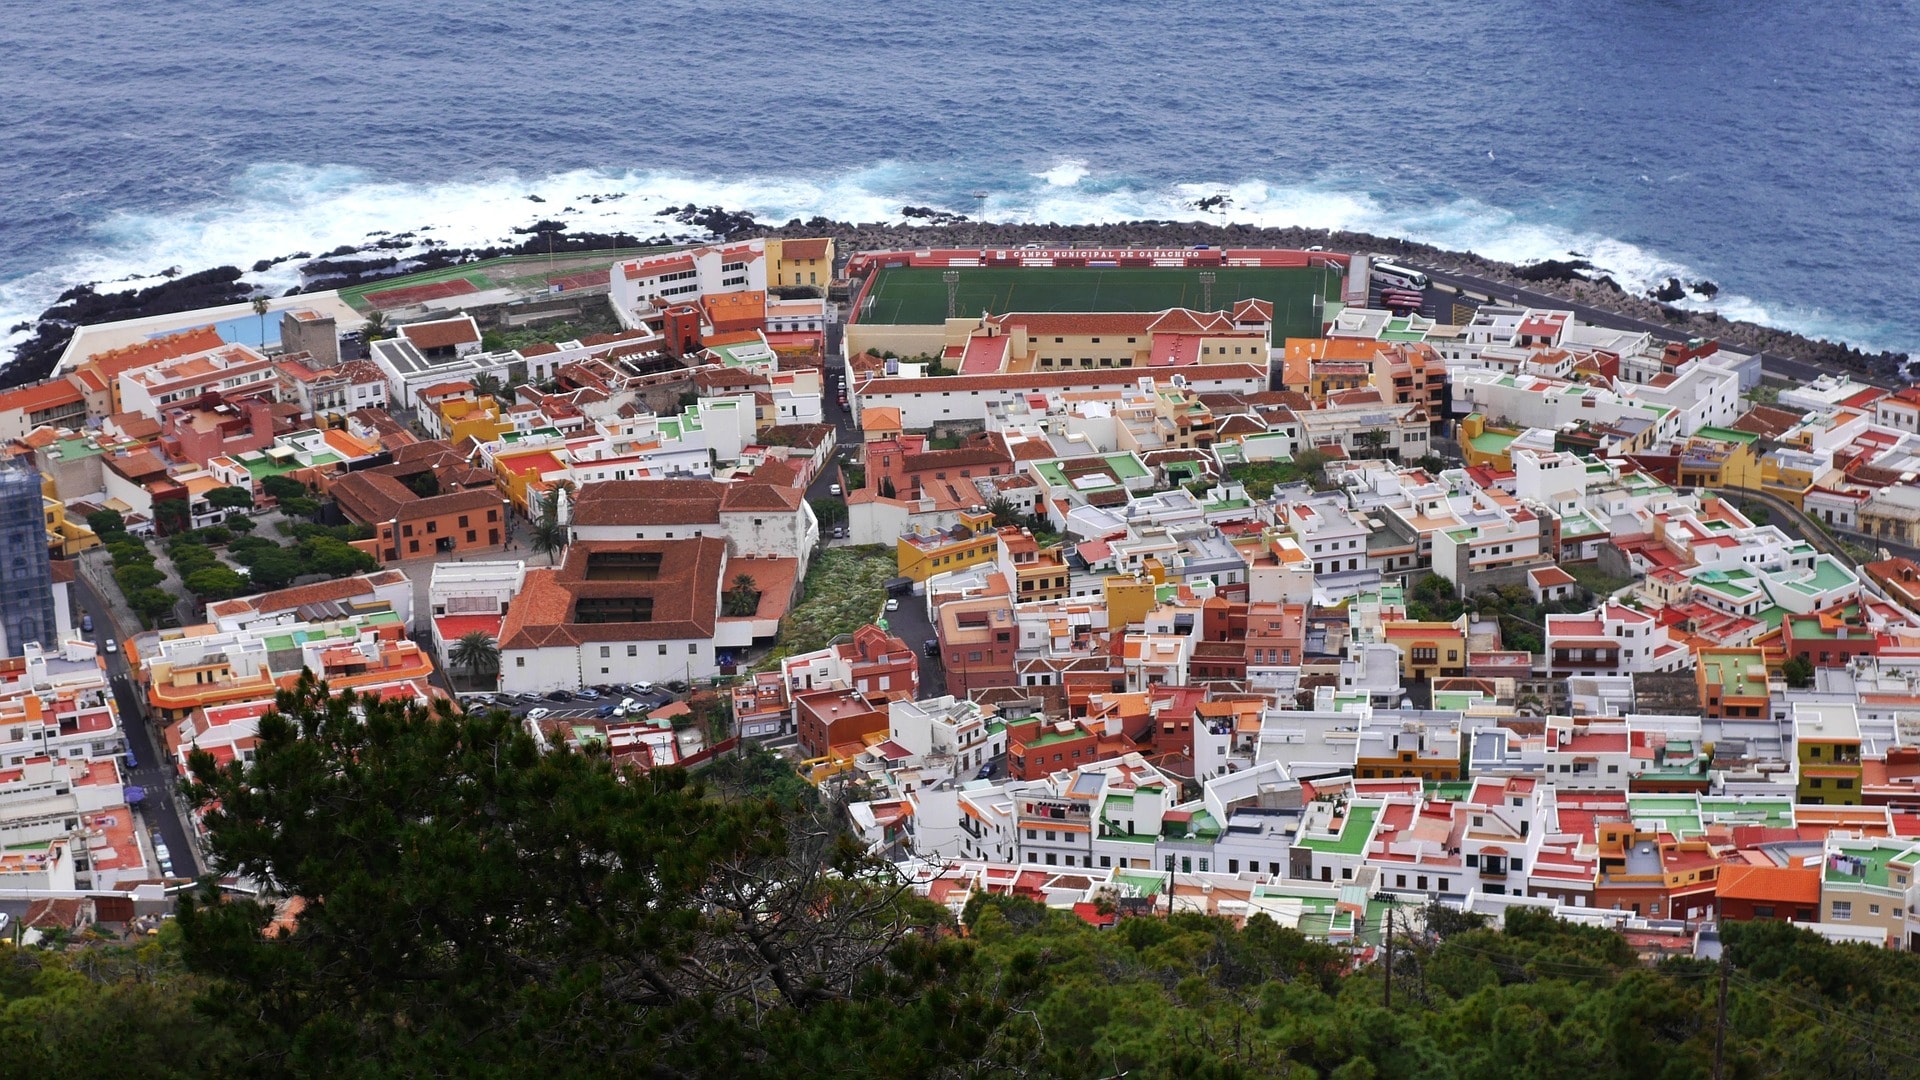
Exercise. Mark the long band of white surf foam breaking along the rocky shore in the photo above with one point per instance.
(277, 210)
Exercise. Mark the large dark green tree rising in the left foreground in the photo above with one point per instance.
(475, 906)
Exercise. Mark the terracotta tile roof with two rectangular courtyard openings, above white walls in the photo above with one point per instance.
(686, 597)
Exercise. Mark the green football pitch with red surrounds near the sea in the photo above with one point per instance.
(919, 295)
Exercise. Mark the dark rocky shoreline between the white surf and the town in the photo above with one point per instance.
(926, 230)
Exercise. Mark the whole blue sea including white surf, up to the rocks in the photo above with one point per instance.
(1773, 149)
